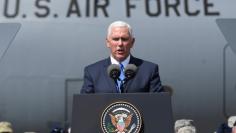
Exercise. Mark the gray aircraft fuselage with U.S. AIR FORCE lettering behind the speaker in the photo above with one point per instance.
(42, 62)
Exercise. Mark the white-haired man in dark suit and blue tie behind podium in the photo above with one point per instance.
(120, 40)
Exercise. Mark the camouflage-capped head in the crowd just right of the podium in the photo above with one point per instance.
(184, 126)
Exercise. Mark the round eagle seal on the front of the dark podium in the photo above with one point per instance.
(121, 117)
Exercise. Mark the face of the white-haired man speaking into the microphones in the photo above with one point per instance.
(120, 43)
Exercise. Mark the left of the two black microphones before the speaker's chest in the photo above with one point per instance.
(114, 71)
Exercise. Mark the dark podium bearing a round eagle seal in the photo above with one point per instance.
(126, 112)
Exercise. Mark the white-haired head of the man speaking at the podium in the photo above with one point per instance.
(120, 40)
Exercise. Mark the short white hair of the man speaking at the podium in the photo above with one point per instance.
(119, 24)
